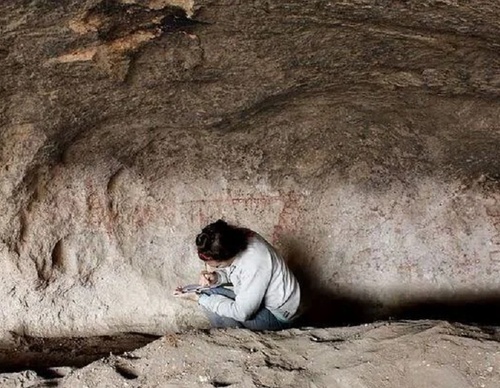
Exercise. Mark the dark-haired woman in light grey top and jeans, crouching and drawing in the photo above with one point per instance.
(265, 294)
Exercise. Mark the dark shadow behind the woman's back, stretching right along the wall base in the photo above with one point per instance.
(326, 308)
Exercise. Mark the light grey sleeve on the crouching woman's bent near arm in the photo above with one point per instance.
(255, 279)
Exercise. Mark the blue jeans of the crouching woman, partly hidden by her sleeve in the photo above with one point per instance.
(262, 320)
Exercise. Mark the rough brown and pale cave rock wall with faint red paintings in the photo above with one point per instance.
(359, 136)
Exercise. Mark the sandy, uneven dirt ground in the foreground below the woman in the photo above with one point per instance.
(412, 354)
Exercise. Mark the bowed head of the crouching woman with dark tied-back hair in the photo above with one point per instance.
(219, 243)
